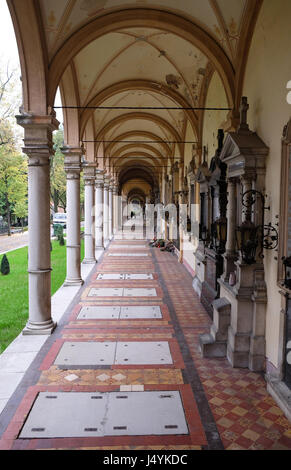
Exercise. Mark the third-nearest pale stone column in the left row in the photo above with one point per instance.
(89, 180)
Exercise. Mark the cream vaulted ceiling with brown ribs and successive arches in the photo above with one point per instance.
(140, 54)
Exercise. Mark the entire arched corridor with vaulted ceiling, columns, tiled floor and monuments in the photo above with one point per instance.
(176, 116)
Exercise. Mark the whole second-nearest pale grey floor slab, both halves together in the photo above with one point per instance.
(86, 353)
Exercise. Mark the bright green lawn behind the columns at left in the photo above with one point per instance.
(14, 290)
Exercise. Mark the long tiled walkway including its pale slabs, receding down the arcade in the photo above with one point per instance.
(123, 370)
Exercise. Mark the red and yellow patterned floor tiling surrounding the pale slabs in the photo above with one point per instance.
(224, 408)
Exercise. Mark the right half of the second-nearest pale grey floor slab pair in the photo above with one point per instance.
(139, 352)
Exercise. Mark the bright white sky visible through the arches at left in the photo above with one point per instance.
(9, 51)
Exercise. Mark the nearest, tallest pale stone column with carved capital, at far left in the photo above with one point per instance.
(38, 147)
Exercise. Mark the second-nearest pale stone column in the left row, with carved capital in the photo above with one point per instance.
(72, 165)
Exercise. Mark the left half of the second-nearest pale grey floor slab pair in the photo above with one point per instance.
(86, 353)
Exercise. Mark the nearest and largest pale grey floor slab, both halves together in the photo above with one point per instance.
(83, 414)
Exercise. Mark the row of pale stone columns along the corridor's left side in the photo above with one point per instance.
(101, 217)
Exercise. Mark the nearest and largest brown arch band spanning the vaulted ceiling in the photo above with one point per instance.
(143, 17)
